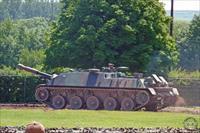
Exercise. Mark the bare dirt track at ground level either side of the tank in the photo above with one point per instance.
(190, 110)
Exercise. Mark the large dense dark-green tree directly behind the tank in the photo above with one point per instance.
(95, 32)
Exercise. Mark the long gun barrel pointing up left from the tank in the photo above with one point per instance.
(34, 71)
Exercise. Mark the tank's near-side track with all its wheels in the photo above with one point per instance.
(94, 98)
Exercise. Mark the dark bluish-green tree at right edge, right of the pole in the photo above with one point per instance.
(190, 47)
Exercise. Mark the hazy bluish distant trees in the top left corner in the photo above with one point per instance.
(23, 9)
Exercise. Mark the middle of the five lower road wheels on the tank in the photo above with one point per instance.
(92, 103)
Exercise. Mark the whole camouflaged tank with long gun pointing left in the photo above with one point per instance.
(108, 89)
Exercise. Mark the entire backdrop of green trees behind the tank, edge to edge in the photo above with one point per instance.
(90, 33)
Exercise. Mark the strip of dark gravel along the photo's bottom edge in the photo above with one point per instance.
(102, 130)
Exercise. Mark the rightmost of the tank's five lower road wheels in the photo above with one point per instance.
(127, 104)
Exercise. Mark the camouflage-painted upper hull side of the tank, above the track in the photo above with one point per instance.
(96, 79)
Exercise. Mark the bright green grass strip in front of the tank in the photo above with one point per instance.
(85, 118)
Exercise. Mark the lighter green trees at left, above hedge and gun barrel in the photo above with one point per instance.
(22, 41)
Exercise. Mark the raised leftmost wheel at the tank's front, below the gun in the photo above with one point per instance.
(42, 94)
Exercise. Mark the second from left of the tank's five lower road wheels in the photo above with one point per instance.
(76, 102)
